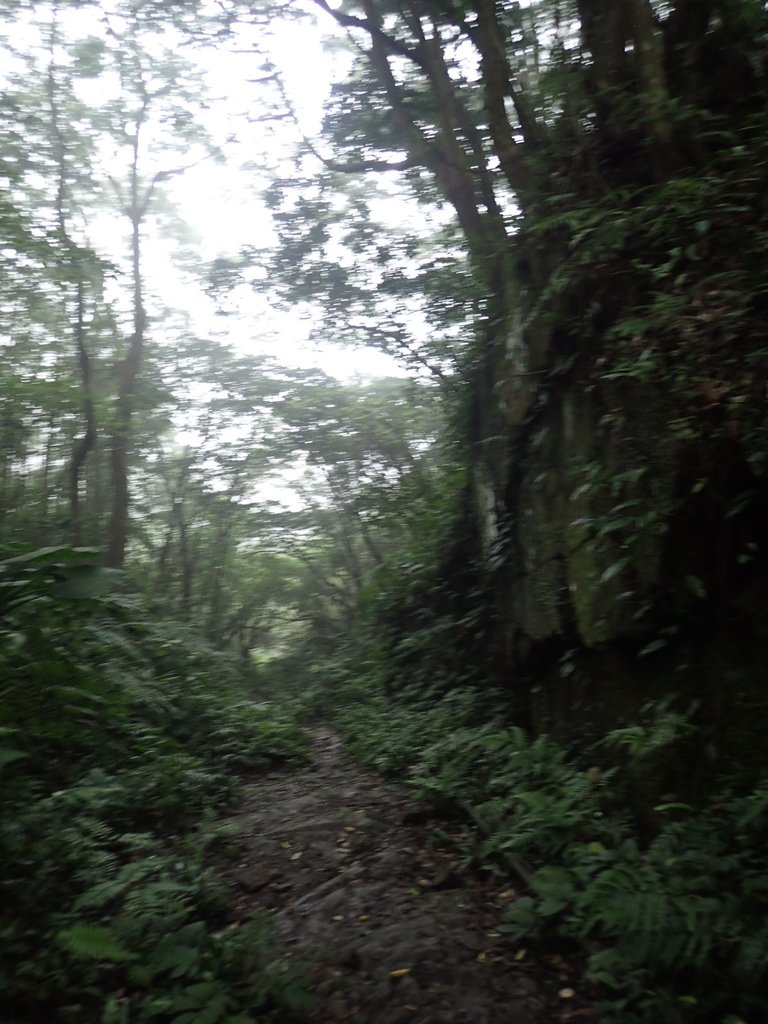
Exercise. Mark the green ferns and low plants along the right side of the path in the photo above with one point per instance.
(675, 929)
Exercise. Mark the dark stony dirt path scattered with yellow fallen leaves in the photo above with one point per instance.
(368, 894)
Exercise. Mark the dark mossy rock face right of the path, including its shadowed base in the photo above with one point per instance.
(621, 514)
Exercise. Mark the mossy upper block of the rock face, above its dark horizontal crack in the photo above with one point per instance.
(609, 494)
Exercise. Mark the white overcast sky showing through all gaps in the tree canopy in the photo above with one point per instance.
(219, 204)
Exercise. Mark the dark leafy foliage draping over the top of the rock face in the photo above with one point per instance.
(685, 313)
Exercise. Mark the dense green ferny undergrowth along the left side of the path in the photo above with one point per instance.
(121, 740)
